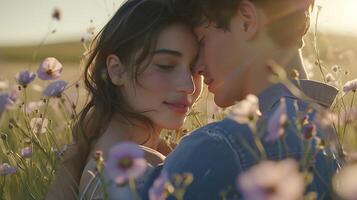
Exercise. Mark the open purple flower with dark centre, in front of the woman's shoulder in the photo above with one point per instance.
(125, 160)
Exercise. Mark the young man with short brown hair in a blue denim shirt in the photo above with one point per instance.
(238, 38)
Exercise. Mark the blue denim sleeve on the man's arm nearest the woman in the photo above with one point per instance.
(208, 156)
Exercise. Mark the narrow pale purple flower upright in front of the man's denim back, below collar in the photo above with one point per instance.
(277, 122)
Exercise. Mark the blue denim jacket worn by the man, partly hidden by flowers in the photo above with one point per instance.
(216, 153)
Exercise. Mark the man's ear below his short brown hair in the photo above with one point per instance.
(249, 19)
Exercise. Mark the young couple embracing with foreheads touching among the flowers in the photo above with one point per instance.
(145, 73)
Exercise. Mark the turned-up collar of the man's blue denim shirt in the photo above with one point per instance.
(321, 93)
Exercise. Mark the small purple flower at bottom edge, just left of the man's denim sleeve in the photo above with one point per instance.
(161, 187)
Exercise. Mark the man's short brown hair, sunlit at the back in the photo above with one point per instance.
(290, 19)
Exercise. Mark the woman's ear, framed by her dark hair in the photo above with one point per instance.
(115, 70)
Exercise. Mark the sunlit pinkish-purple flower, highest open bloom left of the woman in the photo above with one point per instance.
(49, 69)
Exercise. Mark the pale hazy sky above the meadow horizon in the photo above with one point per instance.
(27, 22)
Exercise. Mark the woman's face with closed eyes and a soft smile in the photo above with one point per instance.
(167, 88)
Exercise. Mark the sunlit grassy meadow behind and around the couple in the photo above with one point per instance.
(34, 171)
